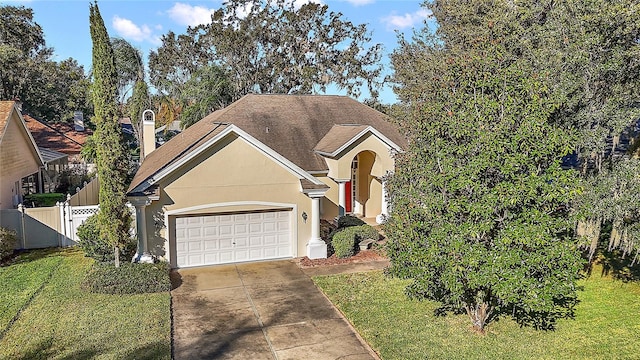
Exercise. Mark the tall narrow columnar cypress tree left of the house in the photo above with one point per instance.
(112, 162)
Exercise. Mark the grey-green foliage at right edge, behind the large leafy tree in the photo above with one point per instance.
(594, 61)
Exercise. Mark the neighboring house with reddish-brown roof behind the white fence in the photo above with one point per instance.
(60, 145)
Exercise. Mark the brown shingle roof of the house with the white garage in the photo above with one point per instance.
(291, 125)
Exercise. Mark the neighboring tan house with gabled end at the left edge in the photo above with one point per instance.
(20, 160)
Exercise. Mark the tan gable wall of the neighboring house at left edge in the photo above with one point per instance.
(18, 159)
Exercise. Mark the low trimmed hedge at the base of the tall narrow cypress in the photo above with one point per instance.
(129, 278)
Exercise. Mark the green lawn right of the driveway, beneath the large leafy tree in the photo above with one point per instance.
(606, 326)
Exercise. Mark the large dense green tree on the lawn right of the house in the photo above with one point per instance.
(479, 202)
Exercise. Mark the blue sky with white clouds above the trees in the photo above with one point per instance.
(65, 23)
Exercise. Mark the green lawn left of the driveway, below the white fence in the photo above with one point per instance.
(56, 319)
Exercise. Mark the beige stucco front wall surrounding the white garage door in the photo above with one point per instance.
(232, 173)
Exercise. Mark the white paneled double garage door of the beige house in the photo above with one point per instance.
(220, 239)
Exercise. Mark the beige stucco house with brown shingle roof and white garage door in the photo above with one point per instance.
(252, 181)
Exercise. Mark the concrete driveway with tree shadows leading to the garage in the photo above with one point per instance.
(265, 310)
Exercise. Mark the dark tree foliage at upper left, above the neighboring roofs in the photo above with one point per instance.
(50, 90)
